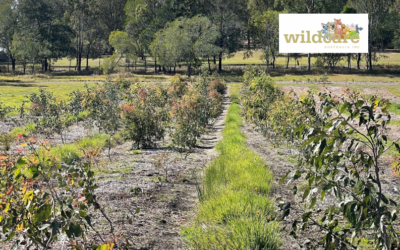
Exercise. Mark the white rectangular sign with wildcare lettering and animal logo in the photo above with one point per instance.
(323, 33)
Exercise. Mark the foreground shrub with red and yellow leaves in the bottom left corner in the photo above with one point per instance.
(43, 198)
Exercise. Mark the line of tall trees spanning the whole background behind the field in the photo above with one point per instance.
(172, 32)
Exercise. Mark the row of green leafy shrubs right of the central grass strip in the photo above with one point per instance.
(341, 142)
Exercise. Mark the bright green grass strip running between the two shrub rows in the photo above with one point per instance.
(234, 202)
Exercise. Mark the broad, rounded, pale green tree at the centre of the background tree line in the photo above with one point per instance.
(185, 40)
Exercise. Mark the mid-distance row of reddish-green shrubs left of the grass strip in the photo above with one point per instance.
(141, 113)
